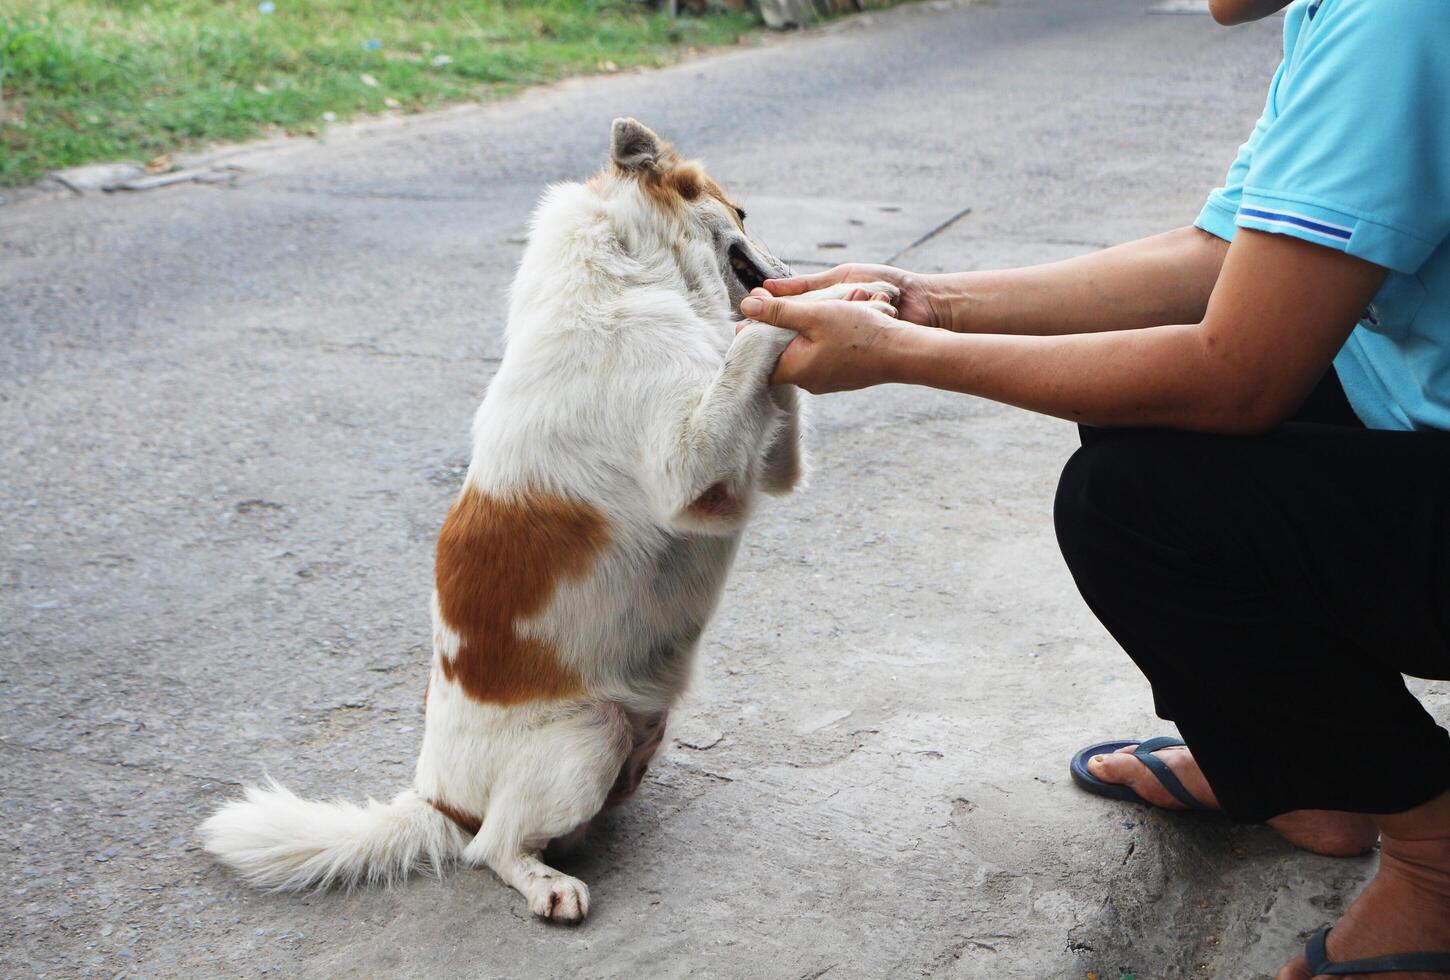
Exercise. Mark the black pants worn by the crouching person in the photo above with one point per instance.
(1274, 589)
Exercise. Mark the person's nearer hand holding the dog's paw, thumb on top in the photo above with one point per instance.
(843, 344)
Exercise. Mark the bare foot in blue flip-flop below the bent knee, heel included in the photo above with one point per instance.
(1332, 833)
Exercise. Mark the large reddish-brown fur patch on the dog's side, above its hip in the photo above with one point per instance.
(498, 563)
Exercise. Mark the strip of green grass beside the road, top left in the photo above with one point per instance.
(88, 80)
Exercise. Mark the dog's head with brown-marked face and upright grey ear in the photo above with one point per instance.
(695, 207)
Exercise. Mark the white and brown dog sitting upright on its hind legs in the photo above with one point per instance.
(616, 460)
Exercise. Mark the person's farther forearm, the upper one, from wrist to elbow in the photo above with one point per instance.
(1167, 279)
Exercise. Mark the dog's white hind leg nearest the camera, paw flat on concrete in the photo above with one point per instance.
(549, 791)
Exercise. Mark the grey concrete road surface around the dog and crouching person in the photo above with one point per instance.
(233, 418)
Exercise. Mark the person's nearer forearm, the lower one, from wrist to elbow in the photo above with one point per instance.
(1162, 376)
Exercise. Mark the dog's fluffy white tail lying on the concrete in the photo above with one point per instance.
(281, 842)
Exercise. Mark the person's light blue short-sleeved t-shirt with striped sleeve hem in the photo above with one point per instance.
(1354, 153)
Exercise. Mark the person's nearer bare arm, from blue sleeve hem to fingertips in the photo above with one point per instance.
(1281, 311)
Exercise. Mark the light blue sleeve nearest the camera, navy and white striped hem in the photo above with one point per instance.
(1358, 153)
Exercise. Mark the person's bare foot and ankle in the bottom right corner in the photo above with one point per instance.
(1404, 910)
